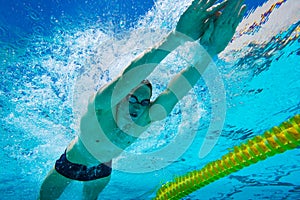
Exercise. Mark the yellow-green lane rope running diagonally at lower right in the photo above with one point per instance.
(277, 140)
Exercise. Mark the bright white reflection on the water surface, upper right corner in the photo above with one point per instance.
(265, 23)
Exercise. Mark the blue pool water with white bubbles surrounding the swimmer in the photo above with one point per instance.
(54, 54)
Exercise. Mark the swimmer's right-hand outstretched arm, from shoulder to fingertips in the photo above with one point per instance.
(219, 32)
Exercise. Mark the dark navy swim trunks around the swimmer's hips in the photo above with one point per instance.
(81, 172)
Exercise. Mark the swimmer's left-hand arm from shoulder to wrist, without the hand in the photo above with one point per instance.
(138, 70)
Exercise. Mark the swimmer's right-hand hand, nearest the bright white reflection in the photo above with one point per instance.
(222, 28)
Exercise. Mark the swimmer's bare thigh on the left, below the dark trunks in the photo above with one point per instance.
(53, 185)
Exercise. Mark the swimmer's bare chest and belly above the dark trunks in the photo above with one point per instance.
(103, 135)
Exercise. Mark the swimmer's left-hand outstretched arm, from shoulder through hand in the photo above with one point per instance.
(191, 26)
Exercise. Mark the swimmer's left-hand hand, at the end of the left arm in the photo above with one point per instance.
(193, 22)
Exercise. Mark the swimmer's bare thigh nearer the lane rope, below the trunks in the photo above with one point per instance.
(91, 189)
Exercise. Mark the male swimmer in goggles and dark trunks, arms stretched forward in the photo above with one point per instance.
(121, 111)
